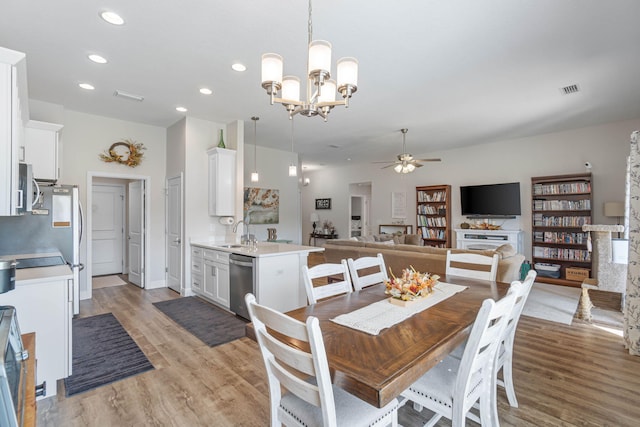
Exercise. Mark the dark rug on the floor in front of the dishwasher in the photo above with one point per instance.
(212, 325)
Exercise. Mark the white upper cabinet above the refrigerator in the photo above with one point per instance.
(41, 149)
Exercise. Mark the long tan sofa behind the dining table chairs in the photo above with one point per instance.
(423, 258)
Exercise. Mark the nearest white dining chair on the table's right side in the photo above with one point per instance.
(453, 386)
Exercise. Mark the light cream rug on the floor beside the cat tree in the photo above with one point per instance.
(552, 302)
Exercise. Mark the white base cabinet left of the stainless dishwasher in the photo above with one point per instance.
(210, 275)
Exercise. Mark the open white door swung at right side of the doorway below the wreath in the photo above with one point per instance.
(136, 233)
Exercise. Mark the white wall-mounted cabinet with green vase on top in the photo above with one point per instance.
(222, 182)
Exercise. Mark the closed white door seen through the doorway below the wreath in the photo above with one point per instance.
(107, 229)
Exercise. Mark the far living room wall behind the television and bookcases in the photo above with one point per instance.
(605, 146)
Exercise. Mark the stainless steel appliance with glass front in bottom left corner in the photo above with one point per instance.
(13, 369)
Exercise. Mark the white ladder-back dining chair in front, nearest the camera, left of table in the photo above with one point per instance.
(314, 400)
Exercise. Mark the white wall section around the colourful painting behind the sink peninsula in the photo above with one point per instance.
(273, 168)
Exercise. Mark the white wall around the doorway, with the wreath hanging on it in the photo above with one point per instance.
(85, 136)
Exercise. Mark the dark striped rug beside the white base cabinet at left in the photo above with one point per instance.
(103, 352)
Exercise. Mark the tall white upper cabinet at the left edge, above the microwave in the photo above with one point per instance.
(14, 114)
